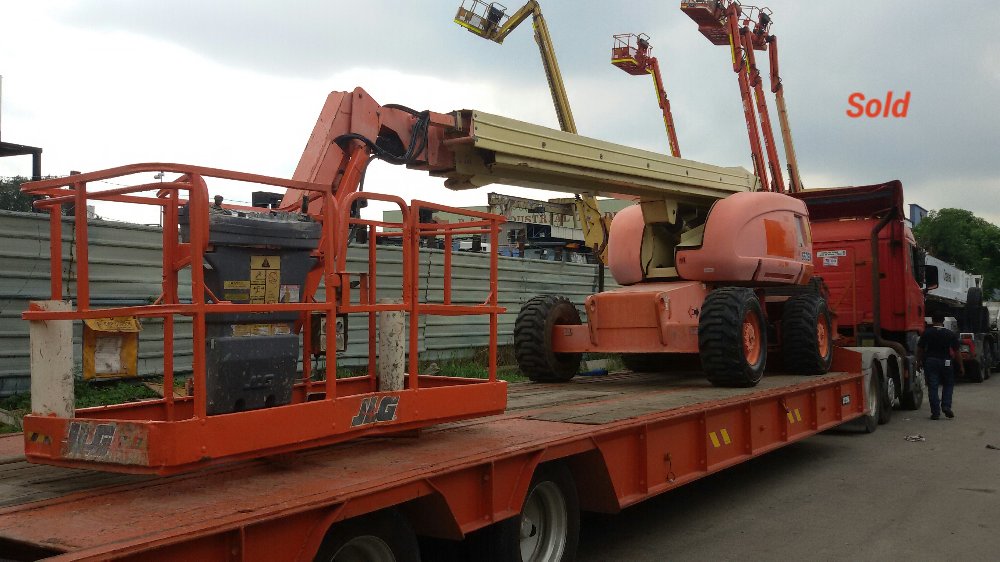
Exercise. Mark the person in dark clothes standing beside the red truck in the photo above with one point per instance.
(937, 350)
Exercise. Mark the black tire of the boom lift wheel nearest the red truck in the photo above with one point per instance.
(800, 320)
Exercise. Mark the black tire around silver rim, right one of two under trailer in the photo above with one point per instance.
(501, 541)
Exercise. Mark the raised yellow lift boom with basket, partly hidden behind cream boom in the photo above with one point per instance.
(491, 21)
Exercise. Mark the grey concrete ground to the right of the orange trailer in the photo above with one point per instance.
(837, 496)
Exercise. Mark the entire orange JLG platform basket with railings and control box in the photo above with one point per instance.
(243, 408)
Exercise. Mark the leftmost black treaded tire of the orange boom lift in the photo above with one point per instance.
(533, 339)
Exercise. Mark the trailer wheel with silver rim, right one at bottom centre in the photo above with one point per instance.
(548, 527)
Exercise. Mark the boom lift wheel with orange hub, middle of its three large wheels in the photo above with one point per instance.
(732, 338)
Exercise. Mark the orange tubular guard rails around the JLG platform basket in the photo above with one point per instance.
(332, 269)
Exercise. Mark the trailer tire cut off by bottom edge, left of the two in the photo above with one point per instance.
(386, 527)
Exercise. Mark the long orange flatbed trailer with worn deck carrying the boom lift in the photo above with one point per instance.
(623, 438)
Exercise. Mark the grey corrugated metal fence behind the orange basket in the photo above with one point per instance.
(126, 270)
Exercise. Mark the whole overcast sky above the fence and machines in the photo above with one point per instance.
(238, 85)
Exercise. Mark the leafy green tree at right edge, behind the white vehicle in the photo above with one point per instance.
(959, 237)
